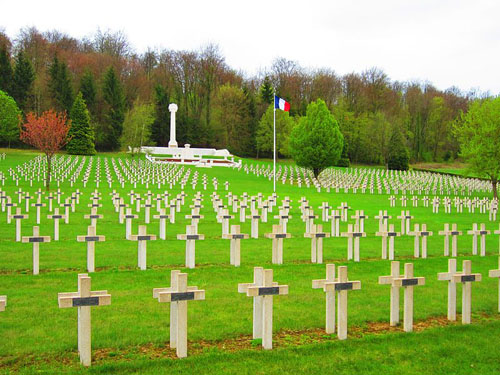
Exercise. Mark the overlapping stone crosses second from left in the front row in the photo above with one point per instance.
(178, 294)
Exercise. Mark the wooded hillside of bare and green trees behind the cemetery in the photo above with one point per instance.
(127, 96)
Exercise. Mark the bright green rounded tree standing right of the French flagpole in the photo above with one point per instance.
(316, 142)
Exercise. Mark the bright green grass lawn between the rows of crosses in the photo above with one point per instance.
(131, 335)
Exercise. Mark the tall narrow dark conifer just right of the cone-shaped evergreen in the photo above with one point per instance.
(115, 111)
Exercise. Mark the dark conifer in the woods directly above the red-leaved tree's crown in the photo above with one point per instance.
(60, 86)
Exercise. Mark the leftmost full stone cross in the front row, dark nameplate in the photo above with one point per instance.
(84, 299)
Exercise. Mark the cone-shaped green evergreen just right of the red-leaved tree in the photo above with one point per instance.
(81, 134)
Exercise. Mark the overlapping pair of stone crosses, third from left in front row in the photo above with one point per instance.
(264, 291)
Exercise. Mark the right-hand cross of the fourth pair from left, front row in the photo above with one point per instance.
(341, 285)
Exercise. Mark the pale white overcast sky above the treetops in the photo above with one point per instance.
(444, 42)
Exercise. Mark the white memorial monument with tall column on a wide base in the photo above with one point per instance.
(201, 157)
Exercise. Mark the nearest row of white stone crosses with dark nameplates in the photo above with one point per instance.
(262, 291)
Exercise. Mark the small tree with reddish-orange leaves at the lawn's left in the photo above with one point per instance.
(48, 133)
